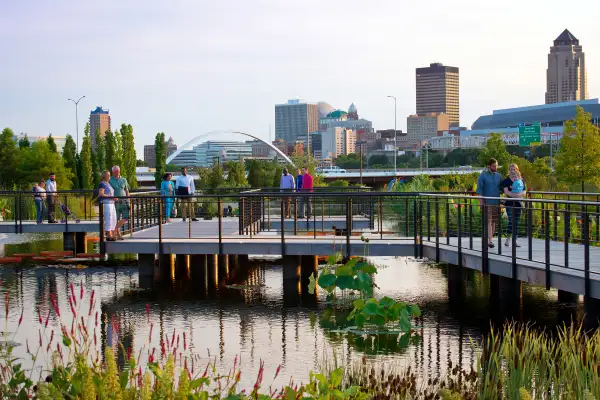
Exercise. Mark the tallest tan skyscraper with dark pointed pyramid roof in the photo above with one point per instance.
(566, 77)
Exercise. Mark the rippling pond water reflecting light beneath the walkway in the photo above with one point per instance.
(274, 321)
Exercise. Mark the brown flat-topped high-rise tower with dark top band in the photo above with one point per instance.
(438, 91)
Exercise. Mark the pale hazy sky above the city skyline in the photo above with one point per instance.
(188, 67)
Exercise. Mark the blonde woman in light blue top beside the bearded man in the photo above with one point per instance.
(513, 188)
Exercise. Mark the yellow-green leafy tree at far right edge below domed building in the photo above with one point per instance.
(577, 160)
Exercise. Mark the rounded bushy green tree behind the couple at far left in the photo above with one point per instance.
(38, 162)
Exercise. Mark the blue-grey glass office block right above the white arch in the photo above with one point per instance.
(295, 120)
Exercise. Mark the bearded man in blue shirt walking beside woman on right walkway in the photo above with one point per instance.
(488, 185)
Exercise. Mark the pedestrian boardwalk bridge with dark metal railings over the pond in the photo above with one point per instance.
(558, 233)
